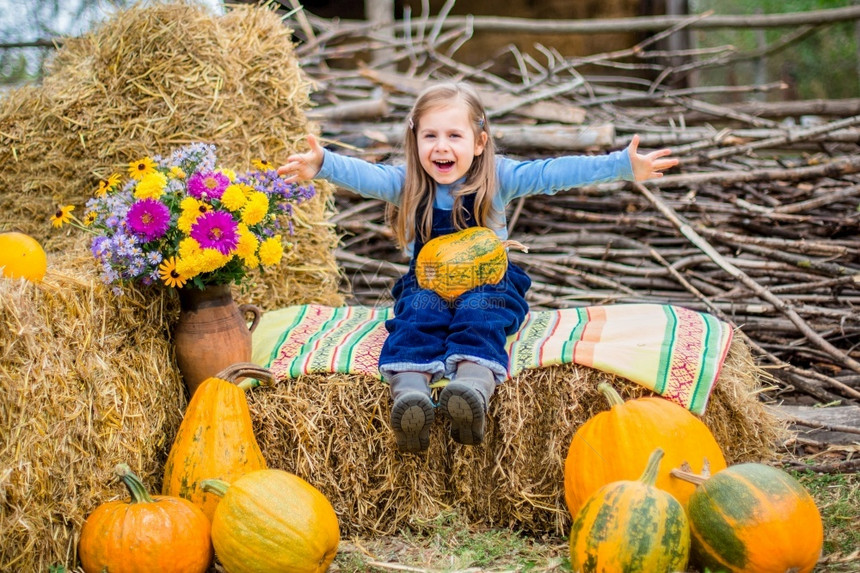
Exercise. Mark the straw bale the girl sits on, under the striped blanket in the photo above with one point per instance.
(334, 431)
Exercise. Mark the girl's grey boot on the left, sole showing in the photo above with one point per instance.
(412, 413)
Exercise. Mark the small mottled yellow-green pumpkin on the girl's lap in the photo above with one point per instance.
(455, 263)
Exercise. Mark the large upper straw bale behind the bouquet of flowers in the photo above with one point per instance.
(151, 79)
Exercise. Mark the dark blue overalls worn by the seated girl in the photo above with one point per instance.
(430, 334)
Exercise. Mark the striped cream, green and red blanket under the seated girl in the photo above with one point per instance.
(674, 351)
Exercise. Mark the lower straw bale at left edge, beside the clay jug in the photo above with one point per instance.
(88, 381)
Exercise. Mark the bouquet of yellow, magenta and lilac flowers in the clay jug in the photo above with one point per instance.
(184, 219)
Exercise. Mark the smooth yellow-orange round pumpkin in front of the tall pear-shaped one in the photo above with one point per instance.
(272, 520)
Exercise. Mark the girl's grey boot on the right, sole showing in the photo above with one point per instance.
(465, 400)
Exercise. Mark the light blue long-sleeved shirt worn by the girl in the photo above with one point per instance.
(514, 179)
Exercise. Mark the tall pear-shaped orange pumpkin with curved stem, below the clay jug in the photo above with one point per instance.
(216, 437)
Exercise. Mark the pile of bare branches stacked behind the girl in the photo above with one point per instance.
(758, 224)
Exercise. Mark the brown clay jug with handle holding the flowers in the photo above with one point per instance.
(212, 333)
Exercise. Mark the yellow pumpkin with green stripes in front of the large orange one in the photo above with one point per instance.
(631, 526)
